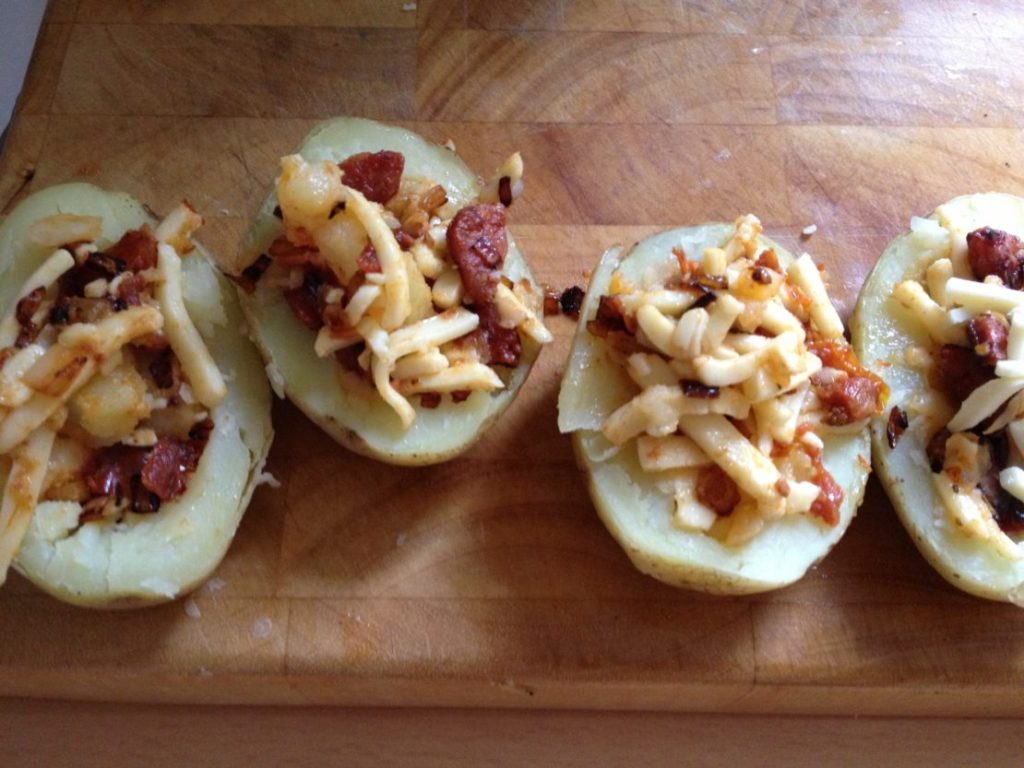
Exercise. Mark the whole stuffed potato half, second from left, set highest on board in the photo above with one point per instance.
(366, 318)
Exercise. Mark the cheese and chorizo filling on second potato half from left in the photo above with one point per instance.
(404, 291)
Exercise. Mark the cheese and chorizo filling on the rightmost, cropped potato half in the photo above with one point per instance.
(972, 307)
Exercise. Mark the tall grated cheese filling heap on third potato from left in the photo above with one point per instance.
(741, 368)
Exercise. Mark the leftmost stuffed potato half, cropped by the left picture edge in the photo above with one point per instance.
(118, 339)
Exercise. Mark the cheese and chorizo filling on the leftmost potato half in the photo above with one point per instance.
(106, 386)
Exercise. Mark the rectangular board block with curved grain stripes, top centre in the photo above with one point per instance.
(544, 77)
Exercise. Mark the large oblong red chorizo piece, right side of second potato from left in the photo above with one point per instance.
(478, 242)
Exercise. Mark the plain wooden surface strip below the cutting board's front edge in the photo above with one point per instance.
(159, 737)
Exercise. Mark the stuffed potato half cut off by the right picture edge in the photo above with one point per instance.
(937, 319)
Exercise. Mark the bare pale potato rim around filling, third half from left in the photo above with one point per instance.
(636, 515)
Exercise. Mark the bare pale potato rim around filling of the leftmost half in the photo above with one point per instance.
(164, 556)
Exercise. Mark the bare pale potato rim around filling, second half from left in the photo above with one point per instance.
(357, 417)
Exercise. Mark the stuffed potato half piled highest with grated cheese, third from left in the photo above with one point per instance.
(677, 515)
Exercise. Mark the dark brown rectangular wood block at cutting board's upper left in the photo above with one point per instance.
(225, 70)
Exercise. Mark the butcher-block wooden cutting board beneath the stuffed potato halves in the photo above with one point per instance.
(490, 580)
